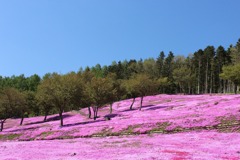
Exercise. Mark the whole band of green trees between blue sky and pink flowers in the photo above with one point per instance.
(208, 70)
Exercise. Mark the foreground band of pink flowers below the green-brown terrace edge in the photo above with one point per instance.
(179, 146)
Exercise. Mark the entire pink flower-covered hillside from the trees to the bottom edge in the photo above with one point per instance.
(168, 127)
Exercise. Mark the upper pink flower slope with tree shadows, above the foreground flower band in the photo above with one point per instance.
(161, 113)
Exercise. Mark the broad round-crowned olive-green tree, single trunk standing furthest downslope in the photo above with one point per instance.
(64, 91)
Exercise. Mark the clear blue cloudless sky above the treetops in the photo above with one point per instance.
(40, 36)
